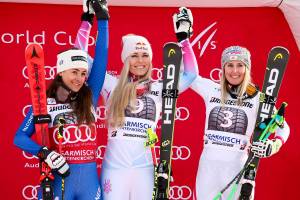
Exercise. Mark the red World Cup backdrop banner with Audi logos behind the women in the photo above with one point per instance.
(55, 28)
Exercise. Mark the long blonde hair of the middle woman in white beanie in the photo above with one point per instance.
(124, 95)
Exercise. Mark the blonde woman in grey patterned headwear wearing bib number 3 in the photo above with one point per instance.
(231, 110)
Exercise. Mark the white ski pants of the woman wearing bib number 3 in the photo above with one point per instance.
(214, 173)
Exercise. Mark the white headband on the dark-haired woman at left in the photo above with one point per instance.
(71, 59)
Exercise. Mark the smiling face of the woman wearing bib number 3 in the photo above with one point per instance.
(235, 72)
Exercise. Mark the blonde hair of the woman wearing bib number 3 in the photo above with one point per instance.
(225, 86)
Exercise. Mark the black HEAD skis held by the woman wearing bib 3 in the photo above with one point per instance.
(276, 65)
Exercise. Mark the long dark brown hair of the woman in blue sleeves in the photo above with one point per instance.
(81, 105)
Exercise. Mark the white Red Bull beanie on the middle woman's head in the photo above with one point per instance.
(135, 43)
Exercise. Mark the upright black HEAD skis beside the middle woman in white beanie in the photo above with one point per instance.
(172, 56)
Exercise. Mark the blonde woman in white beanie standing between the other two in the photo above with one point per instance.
(134, 105)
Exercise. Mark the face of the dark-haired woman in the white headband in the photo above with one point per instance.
(74, 78)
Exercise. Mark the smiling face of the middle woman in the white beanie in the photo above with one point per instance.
(139, 63)
